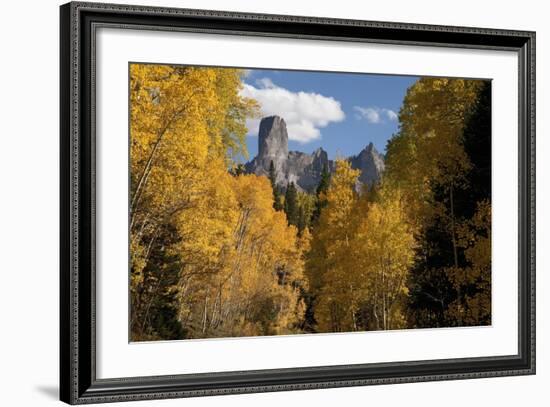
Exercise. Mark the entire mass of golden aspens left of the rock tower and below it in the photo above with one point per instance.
(209, 254)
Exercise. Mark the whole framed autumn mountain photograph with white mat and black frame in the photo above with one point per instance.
(254, 203)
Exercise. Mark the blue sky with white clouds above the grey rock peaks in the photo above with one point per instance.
(340, 112)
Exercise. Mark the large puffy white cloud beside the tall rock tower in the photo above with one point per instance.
(305, 113)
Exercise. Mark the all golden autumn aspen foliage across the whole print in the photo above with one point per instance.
(211, 257)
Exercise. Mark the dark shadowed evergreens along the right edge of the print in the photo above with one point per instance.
(443, 289)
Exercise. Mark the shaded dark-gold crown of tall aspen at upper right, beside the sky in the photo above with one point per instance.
(429, 147)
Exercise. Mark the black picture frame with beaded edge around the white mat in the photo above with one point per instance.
(78, 382)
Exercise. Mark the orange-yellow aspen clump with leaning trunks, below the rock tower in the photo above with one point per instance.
(253, 291)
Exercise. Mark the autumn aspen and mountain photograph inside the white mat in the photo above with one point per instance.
(283, 202)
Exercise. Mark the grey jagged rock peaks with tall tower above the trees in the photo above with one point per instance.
(301, 168)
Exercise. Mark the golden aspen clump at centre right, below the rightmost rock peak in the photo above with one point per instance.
(361, 251)
